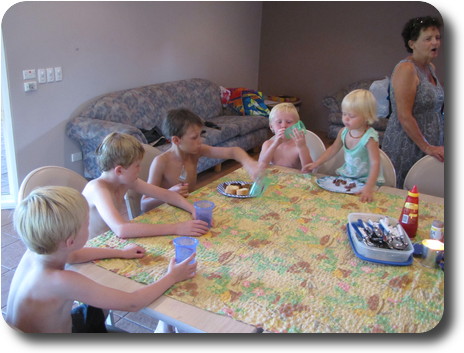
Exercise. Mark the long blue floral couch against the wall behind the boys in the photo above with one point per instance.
(129, 111)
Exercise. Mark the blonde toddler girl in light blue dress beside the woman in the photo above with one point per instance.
(359, 141)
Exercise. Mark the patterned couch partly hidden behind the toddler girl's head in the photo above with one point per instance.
(333, 103)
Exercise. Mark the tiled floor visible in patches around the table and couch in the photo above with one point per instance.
(13, 249)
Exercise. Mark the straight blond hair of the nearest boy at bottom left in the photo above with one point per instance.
(50, 215)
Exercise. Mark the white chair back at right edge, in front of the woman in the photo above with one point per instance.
(428, 174)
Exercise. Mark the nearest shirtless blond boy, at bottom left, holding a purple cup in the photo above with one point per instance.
(53, 223)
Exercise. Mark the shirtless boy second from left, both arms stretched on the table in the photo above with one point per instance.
(119, 157)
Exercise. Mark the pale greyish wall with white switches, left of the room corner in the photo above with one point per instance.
(107, 46)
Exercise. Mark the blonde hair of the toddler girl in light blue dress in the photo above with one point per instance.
(362, 102)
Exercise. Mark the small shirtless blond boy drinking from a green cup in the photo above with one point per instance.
(278, 150)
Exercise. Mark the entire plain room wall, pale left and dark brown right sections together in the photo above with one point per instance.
(307, 49)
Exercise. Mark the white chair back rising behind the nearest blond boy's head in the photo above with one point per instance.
(51, 176)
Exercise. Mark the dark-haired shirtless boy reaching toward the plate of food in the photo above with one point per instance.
(184, 128)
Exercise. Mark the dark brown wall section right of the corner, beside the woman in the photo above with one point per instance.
(311, 49)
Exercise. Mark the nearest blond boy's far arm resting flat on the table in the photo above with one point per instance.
(130, 251)
